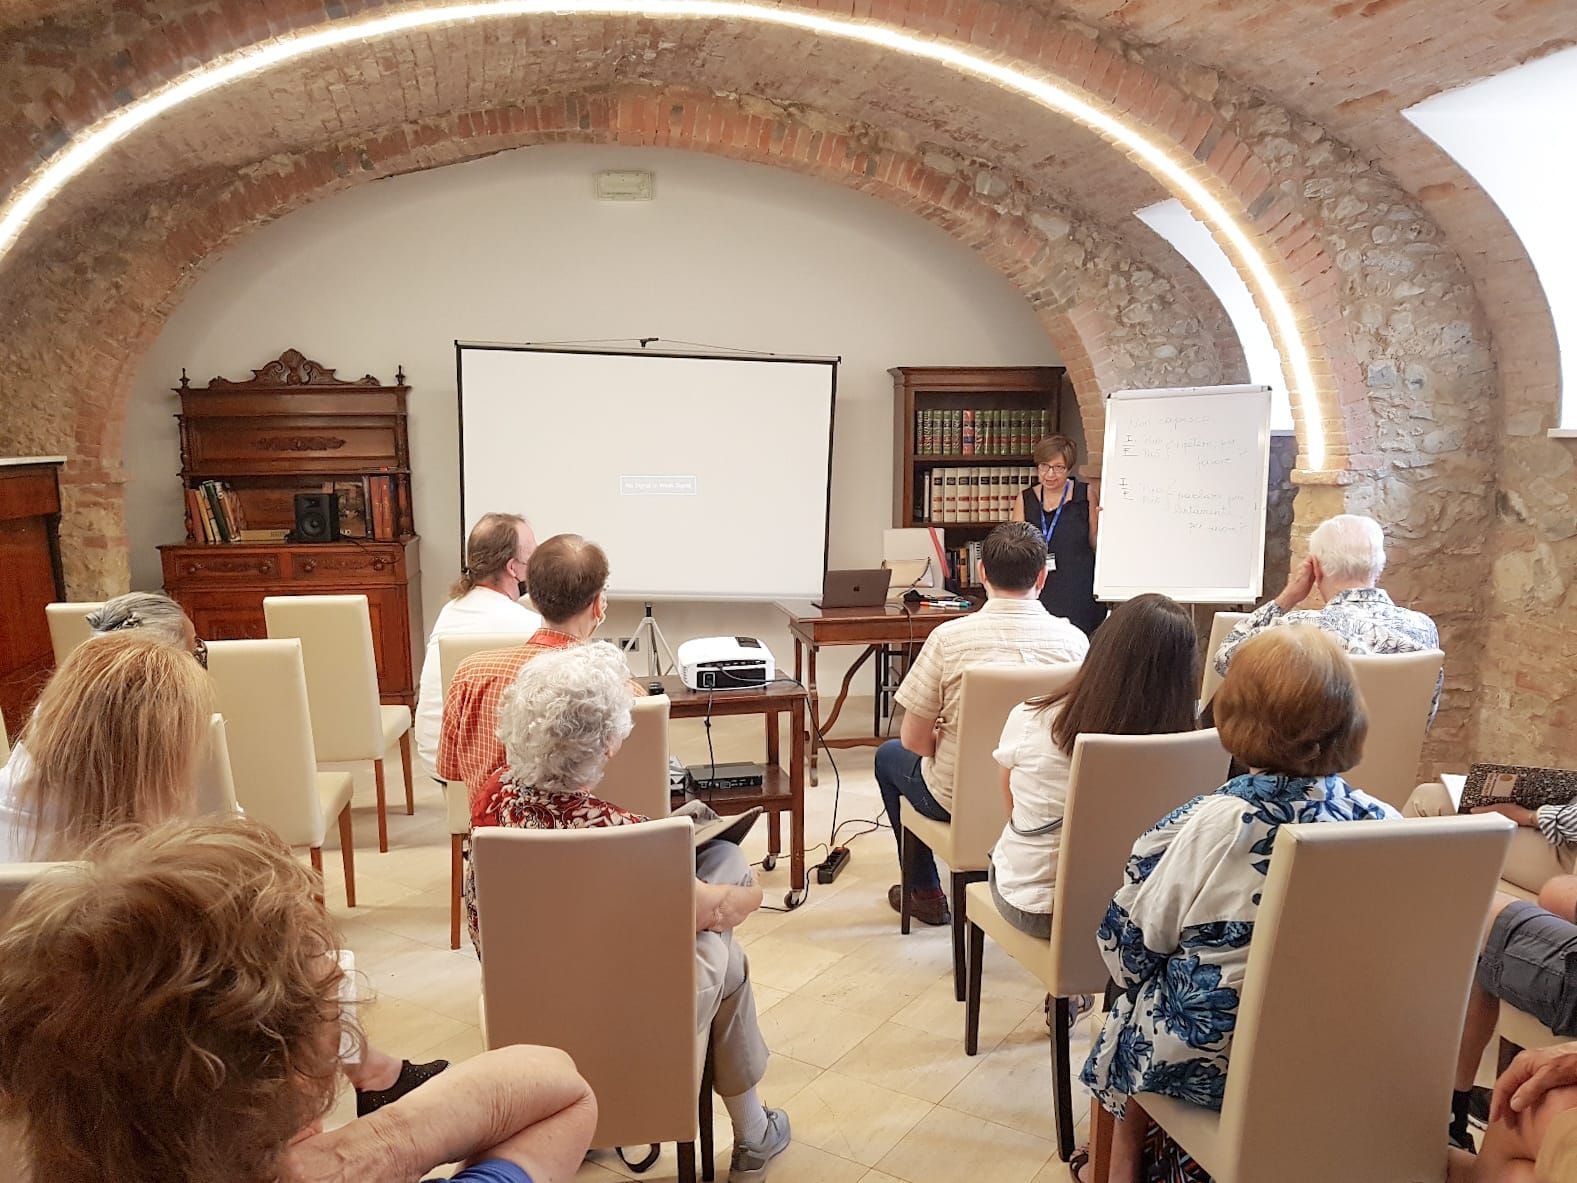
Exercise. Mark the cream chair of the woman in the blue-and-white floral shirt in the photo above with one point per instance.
(1381, 911)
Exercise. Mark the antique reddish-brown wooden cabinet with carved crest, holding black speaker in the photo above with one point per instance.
(297, 428)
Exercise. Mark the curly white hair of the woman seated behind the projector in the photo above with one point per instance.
(564, 715)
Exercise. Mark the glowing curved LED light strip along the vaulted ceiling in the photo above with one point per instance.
(89, 146)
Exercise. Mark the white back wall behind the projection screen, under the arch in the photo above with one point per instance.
(516, 248)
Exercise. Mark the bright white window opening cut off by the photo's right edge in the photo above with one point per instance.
(1507, 133)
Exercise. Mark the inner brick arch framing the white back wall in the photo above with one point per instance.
(163, 252)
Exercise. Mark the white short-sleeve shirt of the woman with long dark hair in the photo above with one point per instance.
(1026, 856)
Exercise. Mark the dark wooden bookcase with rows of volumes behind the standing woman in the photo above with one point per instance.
(963, 442)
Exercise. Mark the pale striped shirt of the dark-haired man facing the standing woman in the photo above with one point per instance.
(1005, 630)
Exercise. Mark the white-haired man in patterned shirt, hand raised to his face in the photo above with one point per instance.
(1346, 562)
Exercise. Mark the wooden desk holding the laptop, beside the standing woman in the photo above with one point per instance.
(871, 627)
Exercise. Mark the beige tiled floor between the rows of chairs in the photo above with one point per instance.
(868, 1043)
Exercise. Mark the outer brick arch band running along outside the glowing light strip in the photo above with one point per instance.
(1190, 133)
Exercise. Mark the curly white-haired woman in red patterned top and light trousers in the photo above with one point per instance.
(565, 715)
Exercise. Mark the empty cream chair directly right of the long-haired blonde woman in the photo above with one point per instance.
(261, 687)
